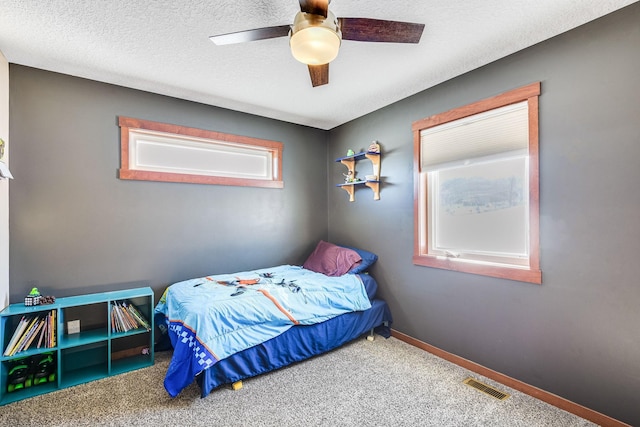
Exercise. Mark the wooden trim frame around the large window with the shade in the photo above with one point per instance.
(532, 273)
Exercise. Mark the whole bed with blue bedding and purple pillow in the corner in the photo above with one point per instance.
(228, 327)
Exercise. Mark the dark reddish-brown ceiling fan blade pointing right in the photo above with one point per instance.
(378, 30)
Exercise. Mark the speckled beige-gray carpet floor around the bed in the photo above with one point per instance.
(381, 383)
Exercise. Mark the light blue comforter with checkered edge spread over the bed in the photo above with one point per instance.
(211, 318)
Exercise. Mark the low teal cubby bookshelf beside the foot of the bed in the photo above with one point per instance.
(98, 350)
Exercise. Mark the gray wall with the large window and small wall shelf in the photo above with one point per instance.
(576, 335)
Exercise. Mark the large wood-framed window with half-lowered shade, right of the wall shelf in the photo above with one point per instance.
(476, 202)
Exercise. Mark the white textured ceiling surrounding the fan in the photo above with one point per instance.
(162, 46)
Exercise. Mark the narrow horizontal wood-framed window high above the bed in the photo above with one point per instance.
(153, 151)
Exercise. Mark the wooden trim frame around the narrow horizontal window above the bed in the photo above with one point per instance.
(125, 172)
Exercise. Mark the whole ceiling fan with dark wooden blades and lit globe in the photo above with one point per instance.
(316, 34)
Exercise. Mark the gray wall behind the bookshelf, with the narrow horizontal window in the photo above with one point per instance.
(75, 227)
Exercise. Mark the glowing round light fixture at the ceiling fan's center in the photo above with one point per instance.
(315, 40)
